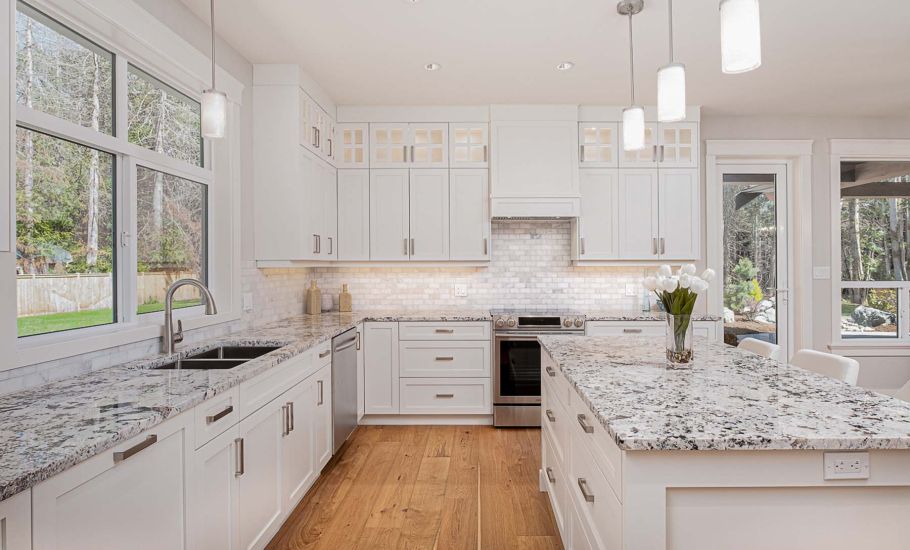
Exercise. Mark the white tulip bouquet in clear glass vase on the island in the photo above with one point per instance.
(678, 294)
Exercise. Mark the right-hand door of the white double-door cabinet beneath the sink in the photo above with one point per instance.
(297, 446)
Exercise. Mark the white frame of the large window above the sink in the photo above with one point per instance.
(132, 36)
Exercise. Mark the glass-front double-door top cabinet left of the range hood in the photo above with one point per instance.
(402, 145)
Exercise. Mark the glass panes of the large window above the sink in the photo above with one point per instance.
(101, 224)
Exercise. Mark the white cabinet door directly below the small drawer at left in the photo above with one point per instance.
(212, 514)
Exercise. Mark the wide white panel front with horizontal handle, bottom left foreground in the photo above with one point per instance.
(131, 496)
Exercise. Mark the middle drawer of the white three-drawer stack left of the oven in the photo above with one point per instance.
(444, 359)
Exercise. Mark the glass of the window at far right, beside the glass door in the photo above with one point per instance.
(875, 249)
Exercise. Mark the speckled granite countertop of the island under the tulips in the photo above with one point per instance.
(728, 399)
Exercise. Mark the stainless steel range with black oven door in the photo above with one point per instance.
(516, 362)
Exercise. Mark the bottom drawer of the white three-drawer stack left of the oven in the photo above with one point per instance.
(445, 395)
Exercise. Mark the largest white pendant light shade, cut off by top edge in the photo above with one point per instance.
(740, 36)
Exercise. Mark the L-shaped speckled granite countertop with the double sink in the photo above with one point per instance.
(48, 429)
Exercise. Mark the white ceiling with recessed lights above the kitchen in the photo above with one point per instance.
(820, 57)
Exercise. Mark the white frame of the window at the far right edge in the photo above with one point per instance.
(847, 150)
